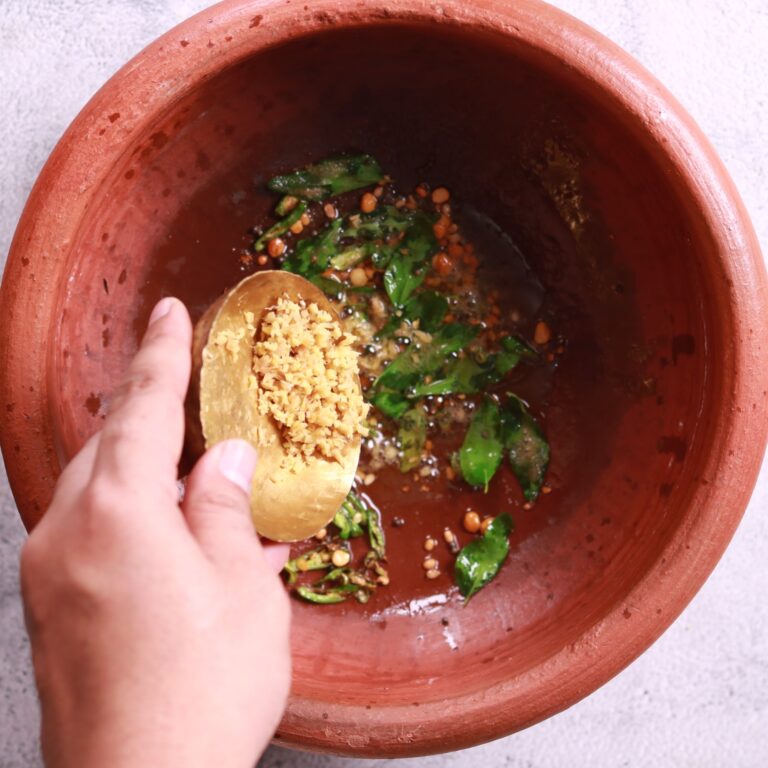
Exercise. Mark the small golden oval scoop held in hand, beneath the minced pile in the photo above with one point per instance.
(287, 503)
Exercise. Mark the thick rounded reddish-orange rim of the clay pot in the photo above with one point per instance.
(82, 160)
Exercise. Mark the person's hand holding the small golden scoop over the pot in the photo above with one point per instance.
(159, 635)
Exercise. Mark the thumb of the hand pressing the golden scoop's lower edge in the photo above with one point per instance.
(217, 506)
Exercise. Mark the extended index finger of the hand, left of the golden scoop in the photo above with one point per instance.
(143, 435)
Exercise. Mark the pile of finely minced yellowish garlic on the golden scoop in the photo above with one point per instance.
(305, 379)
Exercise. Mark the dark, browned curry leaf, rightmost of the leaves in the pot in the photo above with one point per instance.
(526, 446)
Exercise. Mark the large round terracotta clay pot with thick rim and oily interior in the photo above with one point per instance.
(622, 209)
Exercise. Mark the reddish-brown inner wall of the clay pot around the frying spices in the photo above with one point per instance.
(601, 225)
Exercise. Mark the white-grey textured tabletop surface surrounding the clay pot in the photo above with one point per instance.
(699, 697)
